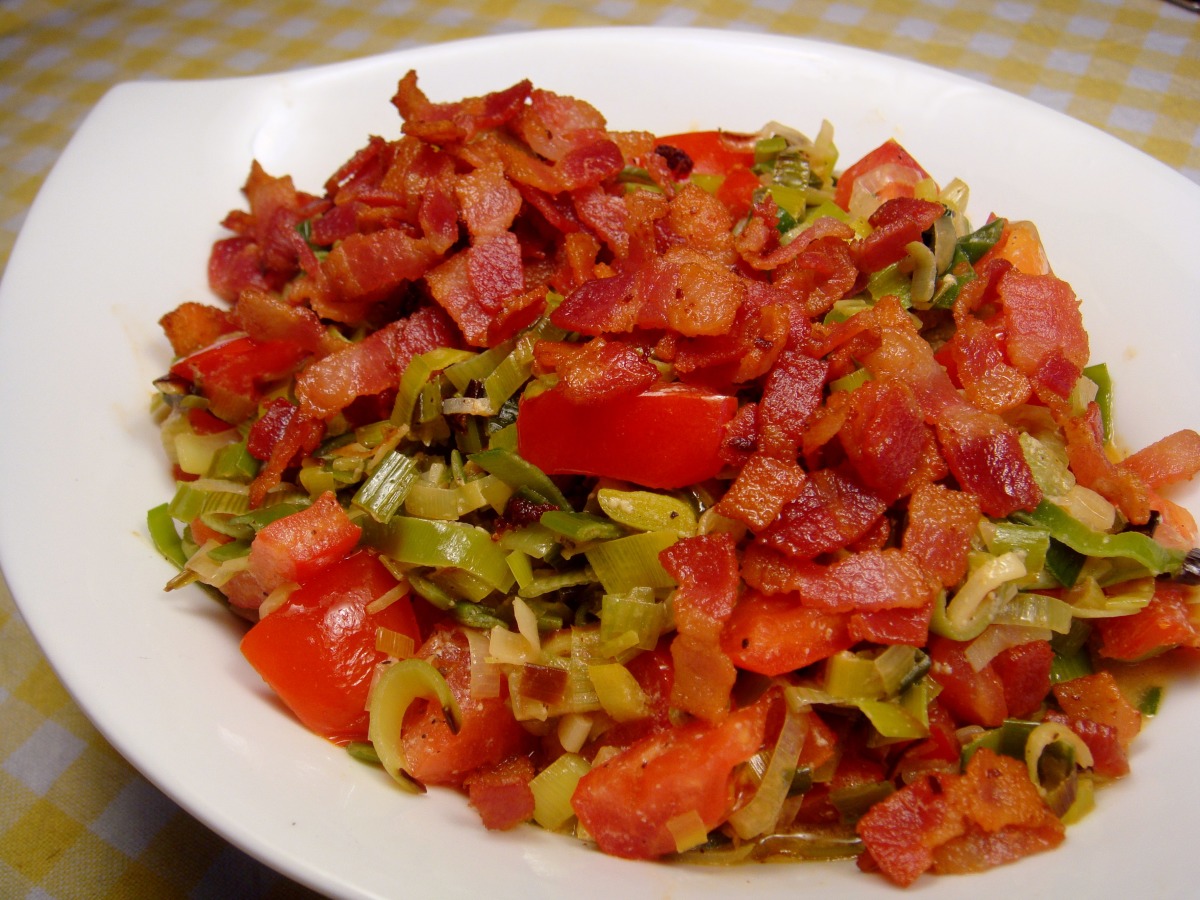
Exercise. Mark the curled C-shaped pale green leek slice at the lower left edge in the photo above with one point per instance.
(391, 698)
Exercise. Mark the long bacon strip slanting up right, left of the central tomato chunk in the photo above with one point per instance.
(374, 365)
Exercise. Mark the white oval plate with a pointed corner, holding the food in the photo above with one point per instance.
(121, 235)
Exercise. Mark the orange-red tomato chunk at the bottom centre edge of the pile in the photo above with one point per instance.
(627, 802)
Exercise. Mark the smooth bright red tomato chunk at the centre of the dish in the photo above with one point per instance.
(667, 439)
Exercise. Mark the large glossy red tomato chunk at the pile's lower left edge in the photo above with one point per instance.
(317, 652)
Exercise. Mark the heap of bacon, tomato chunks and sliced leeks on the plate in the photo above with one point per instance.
(676, 493)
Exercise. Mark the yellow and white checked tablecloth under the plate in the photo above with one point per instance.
(76, 820)
